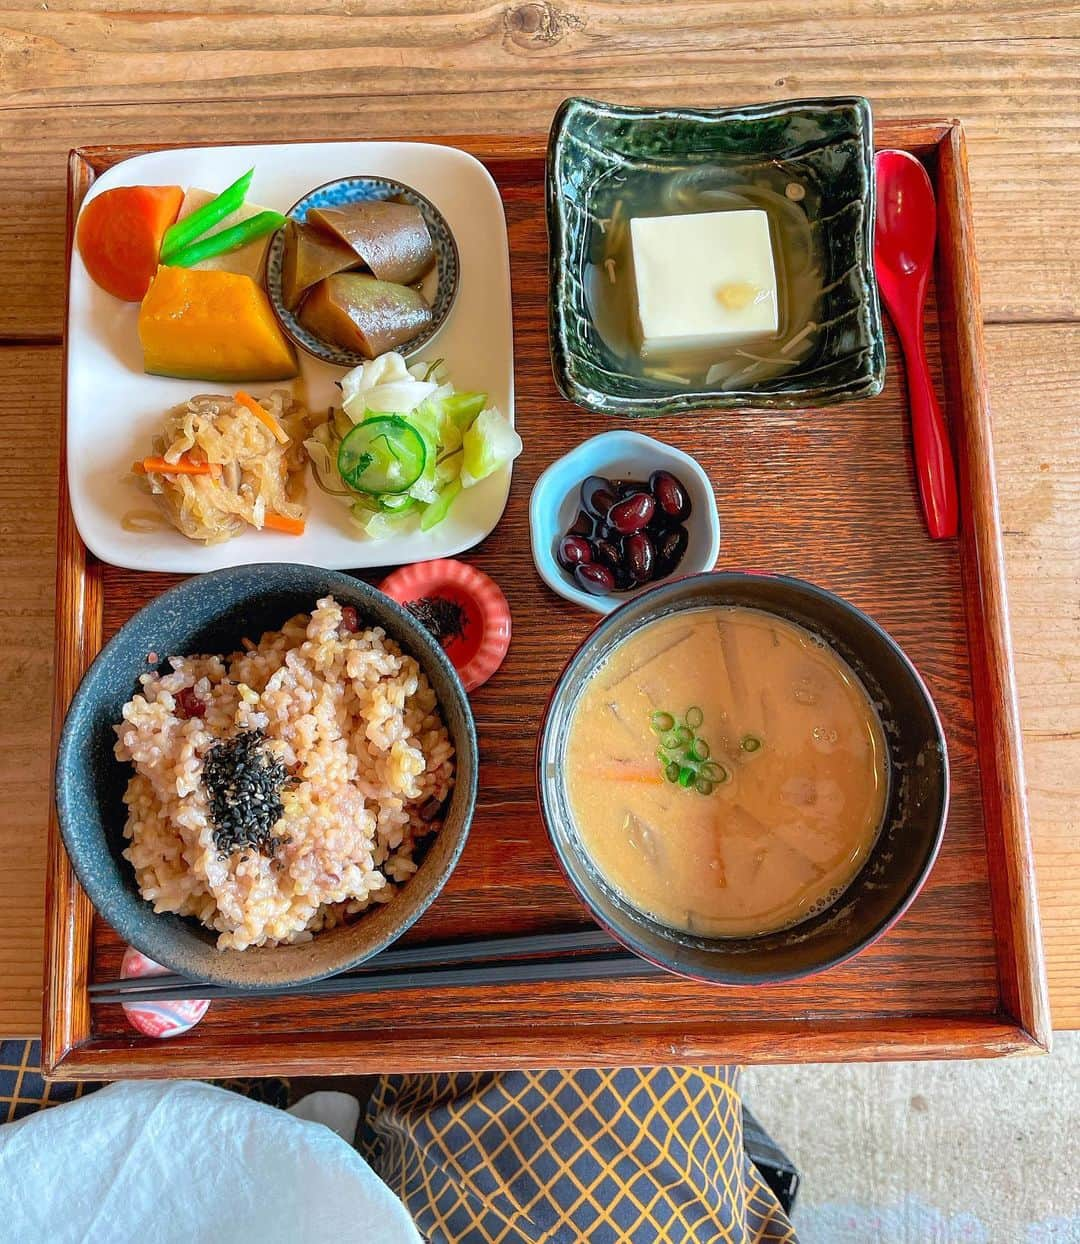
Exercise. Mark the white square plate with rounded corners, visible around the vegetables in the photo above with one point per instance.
(114, 409)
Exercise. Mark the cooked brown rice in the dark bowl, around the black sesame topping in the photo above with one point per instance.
(355, 722)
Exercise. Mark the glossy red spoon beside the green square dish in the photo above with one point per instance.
(904, 241)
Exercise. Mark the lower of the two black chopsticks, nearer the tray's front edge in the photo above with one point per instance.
(583, 967)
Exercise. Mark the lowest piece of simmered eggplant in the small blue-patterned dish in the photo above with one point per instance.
(360, 313)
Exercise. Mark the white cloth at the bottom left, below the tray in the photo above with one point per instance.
(185, 1163)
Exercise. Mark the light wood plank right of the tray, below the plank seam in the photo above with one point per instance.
(1036, 384)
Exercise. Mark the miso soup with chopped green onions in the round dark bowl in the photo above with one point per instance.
(727, 772)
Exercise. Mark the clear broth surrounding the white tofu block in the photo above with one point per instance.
(791, 205)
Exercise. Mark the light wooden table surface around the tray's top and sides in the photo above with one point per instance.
(78, 73)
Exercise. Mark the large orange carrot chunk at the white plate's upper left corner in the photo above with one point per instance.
(120, 234)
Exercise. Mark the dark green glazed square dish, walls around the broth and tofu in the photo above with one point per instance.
(826, 144)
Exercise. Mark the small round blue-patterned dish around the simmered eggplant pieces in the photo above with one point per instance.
(440, 287)
